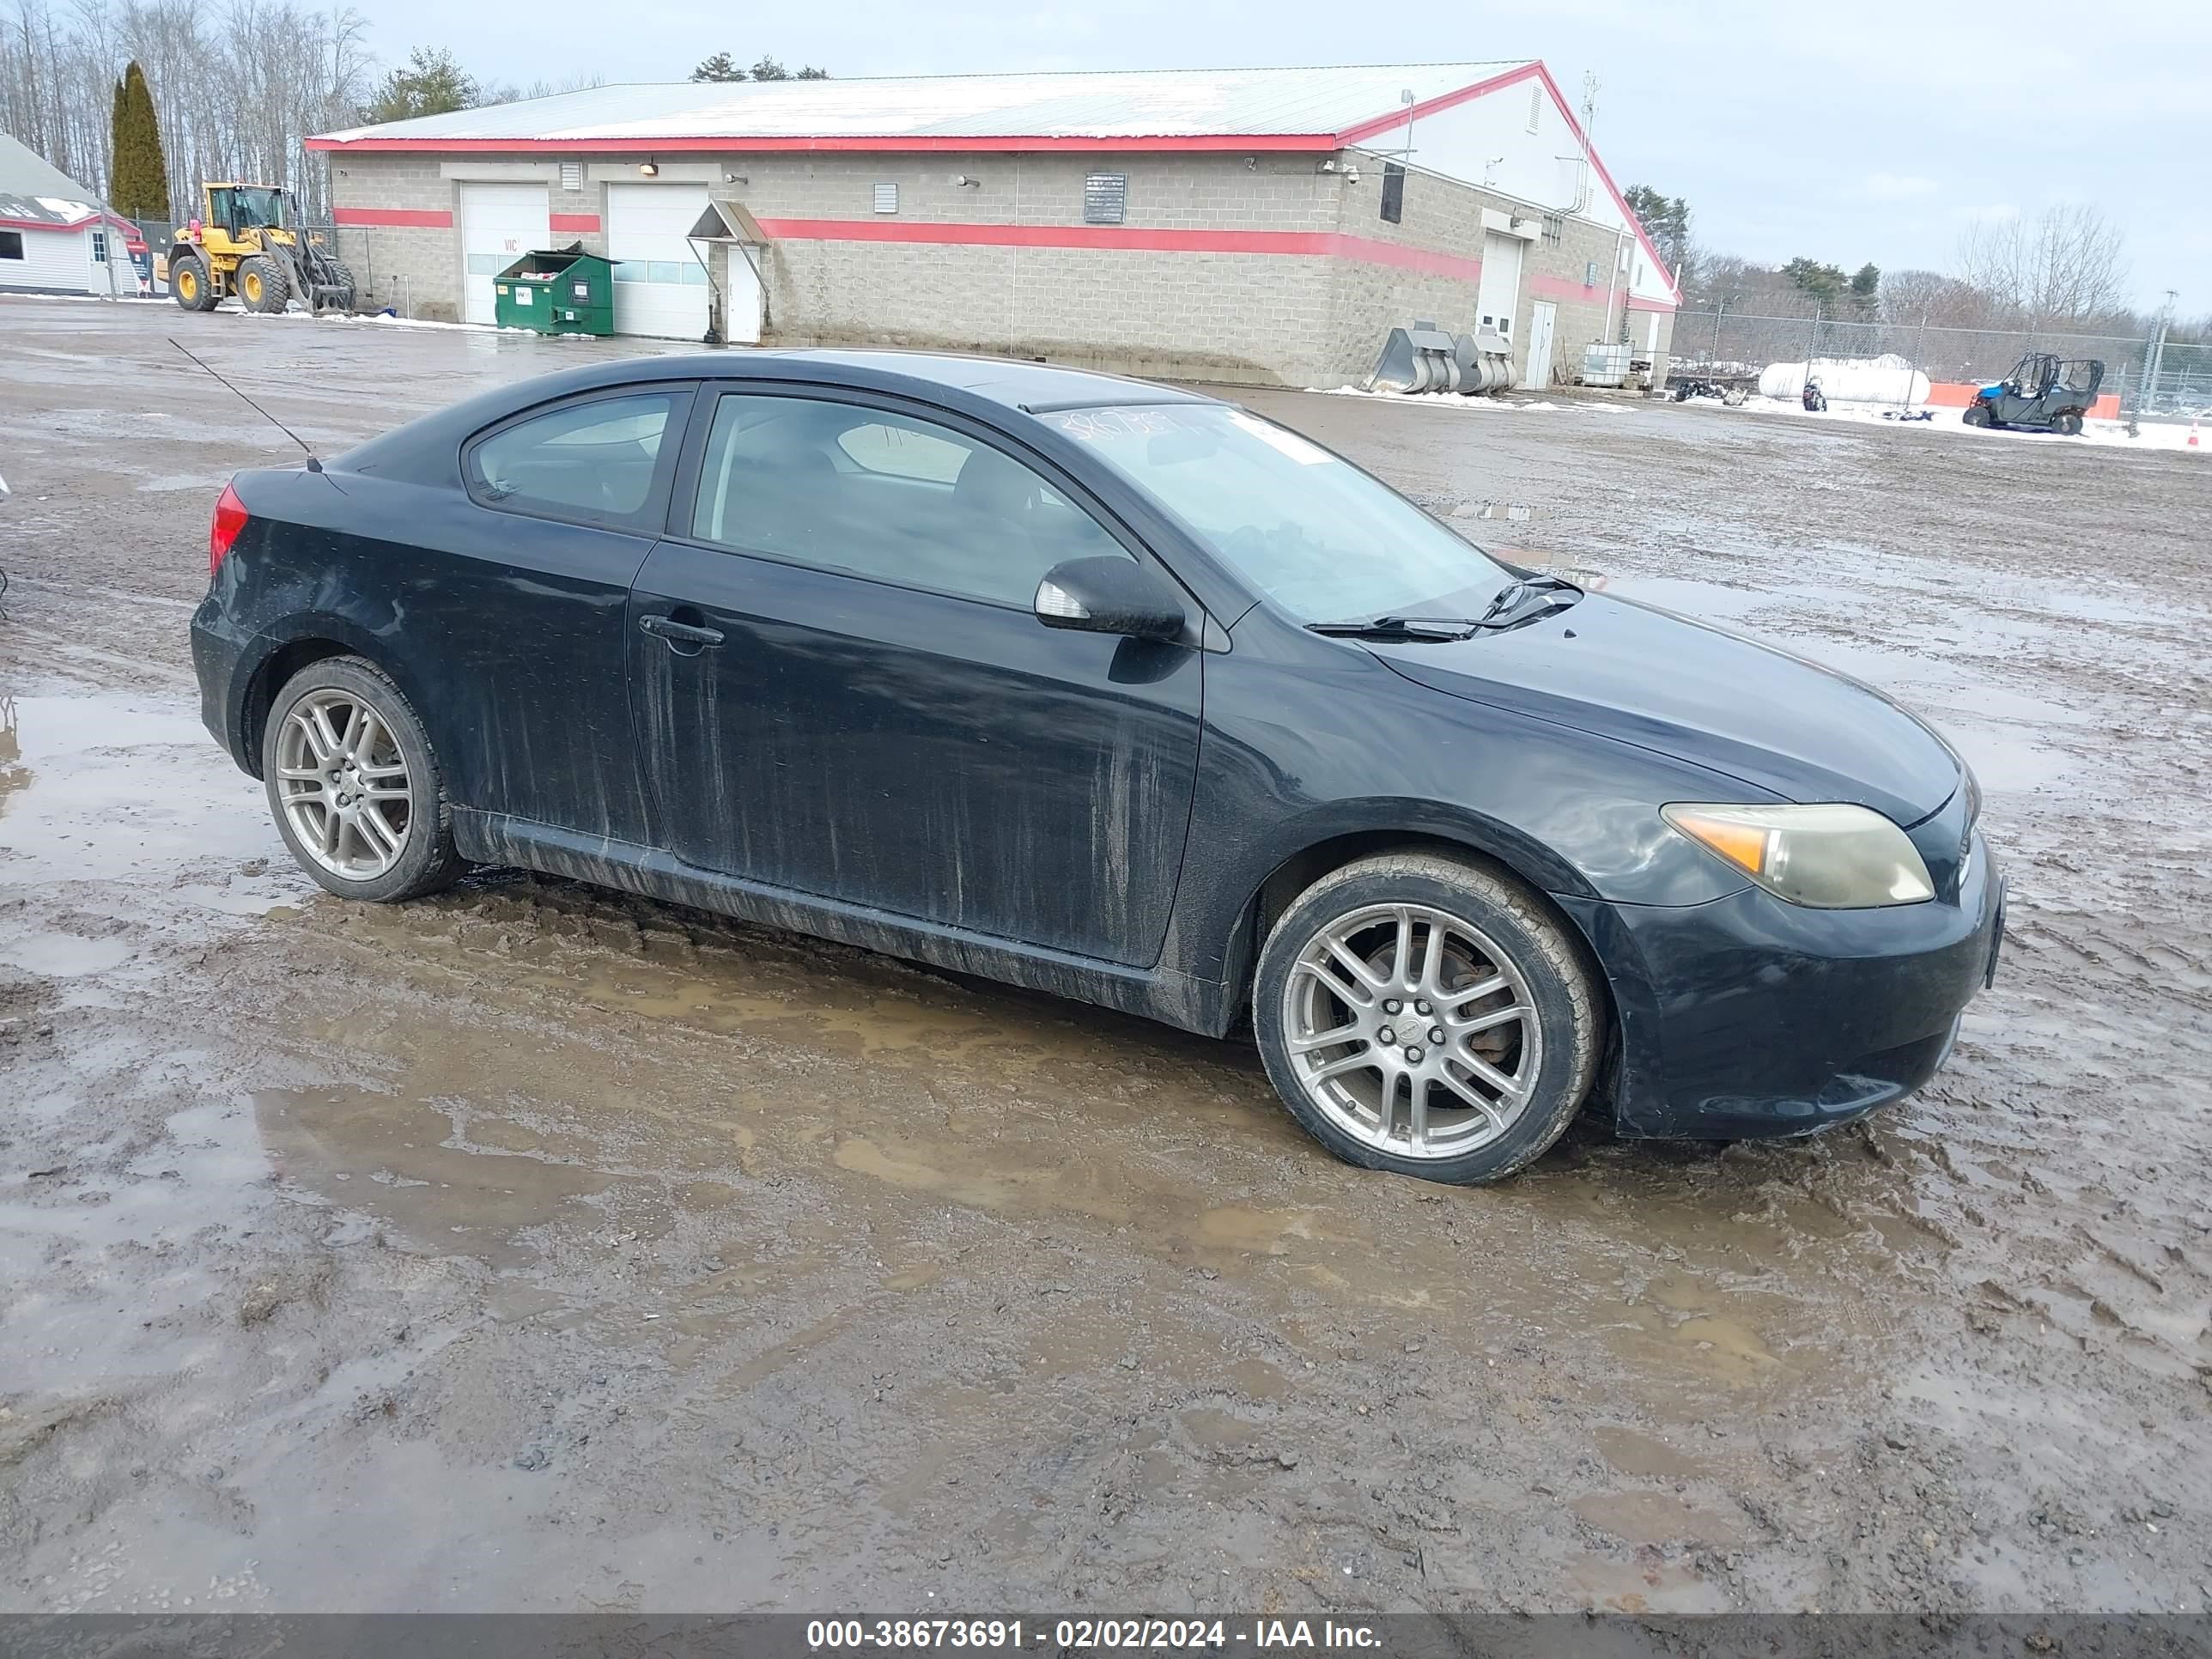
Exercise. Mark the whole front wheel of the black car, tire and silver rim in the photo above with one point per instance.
(1541, 1030)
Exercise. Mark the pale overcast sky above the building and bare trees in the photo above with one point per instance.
(1841, 132)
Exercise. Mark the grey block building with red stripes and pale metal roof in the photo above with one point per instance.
(1255, 225)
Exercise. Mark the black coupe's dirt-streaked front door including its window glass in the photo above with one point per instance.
(844, 691)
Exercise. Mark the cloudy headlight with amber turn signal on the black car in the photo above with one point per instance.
(1828, 857)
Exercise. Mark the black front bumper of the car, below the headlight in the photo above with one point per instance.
(1746, 1016)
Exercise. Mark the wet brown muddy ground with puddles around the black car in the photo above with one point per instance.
(543, 1249)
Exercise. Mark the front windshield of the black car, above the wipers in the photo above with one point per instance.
(1315, 534)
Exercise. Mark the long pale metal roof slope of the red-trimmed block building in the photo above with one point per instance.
(948, 109)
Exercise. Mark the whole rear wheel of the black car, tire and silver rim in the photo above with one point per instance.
(324, 815)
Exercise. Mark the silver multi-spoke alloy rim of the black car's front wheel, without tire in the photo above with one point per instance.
(1412, 1030)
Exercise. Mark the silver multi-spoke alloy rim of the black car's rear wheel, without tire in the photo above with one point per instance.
(344, 784)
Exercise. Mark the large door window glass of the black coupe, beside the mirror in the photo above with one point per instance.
(884, 497)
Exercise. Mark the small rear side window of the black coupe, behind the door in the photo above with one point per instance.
(592, 461)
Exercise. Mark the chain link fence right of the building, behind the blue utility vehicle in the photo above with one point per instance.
(2156, 382)
